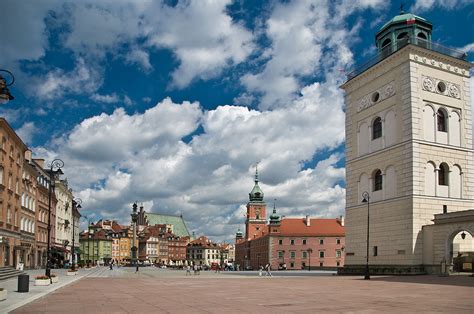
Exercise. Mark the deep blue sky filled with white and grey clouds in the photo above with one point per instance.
(171, 103)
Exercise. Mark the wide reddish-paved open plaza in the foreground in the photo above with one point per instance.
(168, 291)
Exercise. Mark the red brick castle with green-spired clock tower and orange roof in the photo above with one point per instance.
(288, 243)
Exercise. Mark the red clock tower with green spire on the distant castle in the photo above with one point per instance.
(256, 211)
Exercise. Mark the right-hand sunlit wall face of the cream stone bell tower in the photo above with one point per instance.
(428, 68)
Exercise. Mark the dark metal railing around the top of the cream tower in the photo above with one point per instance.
(399, 44)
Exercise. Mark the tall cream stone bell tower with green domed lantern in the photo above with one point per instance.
(408, 144)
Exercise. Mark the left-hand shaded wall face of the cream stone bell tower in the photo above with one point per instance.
(390, 211)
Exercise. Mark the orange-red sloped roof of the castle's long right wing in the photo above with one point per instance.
(317, 227)
